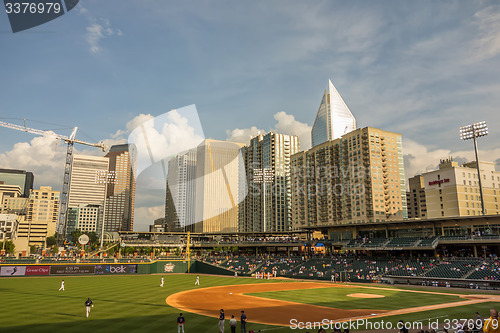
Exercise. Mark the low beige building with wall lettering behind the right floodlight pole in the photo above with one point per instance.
(453, 190)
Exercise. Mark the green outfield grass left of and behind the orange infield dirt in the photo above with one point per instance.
(122, 304)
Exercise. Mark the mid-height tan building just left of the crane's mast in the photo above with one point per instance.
(41, 217)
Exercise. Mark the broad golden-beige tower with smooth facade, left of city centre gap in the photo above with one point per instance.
(218, 186)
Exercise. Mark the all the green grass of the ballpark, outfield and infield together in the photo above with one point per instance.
(137, 304)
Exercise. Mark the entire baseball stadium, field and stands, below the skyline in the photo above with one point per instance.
(303, 281)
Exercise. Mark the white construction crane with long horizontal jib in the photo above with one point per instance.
(70, 141)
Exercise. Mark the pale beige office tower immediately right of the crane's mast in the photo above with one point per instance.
(87, 193)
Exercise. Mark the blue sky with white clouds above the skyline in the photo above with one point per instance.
(420, 68)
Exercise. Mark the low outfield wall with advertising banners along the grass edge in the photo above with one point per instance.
(155, 267)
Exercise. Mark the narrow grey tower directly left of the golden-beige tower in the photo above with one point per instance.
(180, 195)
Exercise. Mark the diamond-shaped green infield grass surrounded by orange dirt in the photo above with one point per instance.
(337, 298)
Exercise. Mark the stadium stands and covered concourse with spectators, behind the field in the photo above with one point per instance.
(446, 252)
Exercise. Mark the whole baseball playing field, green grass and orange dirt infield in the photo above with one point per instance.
(138, 304)
